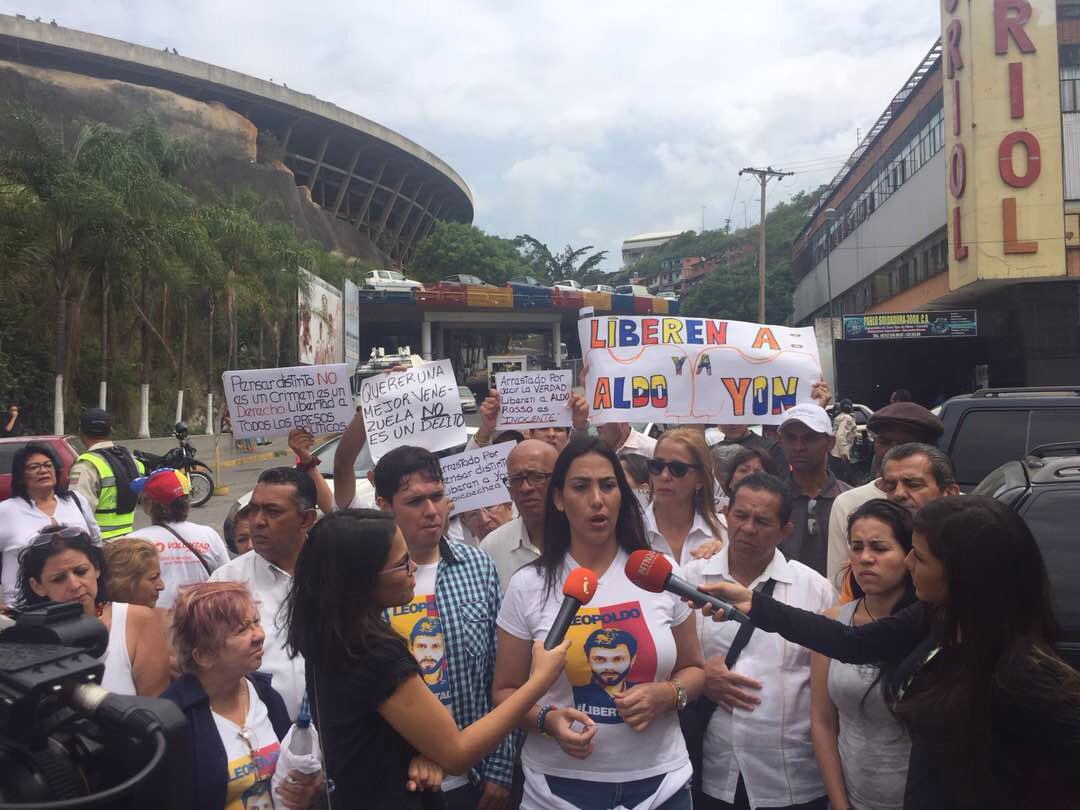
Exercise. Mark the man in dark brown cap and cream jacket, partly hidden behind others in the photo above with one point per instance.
(901, 423)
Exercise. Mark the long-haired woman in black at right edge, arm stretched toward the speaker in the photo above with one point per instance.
(970, 669)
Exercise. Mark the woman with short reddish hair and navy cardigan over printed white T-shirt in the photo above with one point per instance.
(236, 719)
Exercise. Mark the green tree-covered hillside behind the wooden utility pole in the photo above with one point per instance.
(731, 292)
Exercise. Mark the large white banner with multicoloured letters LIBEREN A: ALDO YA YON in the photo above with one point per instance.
(695, 371)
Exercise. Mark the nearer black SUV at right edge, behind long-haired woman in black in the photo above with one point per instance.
(1044, 489)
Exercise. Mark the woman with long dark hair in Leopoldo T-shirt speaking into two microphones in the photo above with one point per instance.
(606, 734)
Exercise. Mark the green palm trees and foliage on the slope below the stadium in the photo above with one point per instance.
(114, 271)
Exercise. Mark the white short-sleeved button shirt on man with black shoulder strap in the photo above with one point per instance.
(769, 747)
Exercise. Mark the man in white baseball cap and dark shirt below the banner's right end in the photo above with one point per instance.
(806, 437)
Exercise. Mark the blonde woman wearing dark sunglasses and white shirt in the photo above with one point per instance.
(682, 520)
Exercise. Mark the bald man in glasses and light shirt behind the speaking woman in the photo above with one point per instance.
(519, 543)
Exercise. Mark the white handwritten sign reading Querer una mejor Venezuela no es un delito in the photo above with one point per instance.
(420, 407)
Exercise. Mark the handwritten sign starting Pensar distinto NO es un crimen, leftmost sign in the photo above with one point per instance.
(271, 402)
